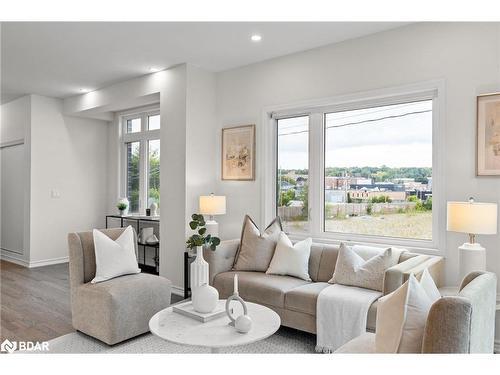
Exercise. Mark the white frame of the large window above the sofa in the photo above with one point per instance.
(316, 110)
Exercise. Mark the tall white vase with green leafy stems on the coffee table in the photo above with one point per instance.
(199, 267)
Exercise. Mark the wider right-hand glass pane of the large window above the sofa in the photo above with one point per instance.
(378, 171)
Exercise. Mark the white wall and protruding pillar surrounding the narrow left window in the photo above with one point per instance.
(187, 109)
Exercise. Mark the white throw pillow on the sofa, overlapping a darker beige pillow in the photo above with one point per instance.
(290, 259)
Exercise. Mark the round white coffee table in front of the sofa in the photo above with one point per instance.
(217, 333)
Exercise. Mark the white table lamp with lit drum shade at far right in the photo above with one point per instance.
(472, 218)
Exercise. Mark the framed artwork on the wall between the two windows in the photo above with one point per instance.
(238, 153)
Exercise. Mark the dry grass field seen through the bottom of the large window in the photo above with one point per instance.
(416, 225)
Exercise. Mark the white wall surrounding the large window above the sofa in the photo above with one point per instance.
(465, 55)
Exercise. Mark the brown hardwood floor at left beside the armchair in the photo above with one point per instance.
(35, 302)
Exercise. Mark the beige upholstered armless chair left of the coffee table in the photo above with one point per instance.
(116, 309)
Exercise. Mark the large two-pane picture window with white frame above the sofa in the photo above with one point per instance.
(359, 171)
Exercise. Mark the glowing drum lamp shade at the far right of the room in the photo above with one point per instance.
(473, 218)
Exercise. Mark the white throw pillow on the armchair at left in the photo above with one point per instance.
(114, 258)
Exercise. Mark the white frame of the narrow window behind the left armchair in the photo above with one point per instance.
(143, 137)
